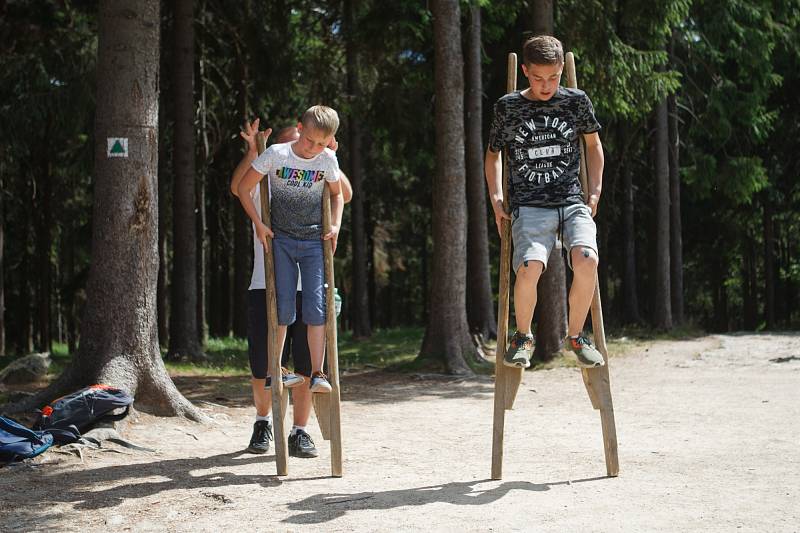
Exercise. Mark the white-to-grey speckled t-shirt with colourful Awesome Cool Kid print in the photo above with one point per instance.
(296, 185)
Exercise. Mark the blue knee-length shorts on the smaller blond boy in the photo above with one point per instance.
(308, 254)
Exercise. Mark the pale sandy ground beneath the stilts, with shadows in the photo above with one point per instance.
(708, 434)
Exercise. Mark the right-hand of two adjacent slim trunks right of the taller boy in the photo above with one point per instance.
(676, 232)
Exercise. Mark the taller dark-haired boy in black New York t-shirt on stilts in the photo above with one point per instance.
(540, 127)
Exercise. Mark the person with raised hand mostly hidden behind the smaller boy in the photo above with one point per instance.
(300, 442)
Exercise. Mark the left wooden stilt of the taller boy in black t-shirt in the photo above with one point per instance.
(507, 379)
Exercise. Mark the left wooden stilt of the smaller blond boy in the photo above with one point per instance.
(280, 396)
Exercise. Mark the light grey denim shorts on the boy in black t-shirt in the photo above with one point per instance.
(534, 231)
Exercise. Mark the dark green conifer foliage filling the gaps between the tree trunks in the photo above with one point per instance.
(733, 65)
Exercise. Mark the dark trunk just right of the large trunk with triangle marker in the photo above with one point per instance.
(184, 333)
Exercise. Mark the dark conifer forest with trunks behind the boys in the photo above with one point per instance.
(697, 222)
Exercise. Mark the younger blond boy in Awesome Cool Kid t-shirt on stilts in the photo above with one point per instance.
(297, 172)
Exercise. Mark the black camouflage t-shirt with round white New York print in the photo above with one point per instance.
(542, 142)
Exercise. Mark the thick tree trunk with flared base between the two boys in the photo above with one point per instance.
(447, 334)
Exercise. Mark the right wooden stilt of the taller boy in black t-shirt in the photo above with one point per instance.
(596, 380)
